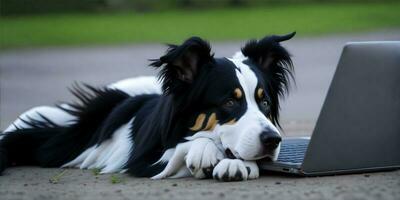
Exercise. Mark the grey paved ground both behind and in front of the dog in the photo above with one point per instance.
(33, 77)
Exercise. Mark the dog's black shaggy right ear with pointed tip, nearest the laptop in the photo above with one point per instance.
(274, 61)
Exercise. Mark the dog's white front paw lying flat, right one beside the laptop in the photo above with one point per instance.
(235, 170)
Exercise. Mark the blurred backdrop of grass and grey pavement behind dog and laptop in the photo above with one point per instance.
(46, 45)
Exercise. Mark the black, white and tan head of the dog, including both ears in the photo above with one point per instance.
(232, 100)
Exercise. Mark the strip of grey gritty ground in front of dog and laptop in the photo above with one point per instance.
(33, 183)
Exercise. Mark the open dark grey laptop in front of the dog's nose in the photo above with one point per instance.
(358, 129)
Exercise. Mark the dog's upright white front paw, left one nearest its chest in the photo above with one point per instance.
(202, 157)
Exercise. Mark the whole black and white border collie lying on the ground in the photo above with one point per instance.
(204, 116)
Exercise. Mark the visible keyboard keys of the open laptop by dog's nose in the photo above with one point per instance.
(293, 150)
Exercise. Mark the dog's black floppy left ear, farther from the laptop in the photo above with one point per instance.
(180, 64)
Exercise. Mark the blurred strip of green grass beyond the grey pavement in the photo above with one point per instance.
(176, 25)
